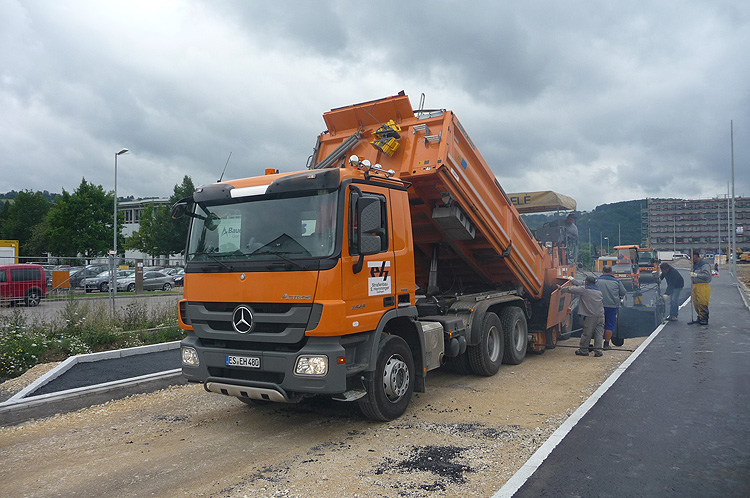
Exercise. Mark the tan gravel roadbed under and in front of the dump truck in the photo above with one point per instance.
(464, 437)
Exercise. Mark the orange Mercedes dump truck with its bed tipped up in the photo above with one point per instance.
(394, 253)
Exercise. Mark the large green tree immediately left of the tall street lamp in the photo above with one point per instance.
(81, 222)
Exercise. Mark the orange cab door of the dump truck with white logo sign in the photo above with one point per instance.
(369, 271)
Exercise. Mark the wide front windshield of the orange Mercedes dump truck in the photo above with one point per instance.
(286, 227)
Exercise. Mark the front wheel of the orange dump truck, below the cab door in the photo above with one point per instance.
(391, 385)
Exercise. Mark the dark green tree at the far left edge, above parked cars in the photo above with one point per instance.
(19, 218)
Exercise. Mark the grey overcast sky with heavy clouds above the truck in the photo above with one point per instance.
(601, 101)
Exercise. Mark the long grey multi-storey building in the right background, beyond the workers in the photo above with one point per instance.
(680, 225)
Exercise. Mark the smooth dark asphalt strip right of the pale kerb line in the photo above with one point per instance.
(675, 423)
